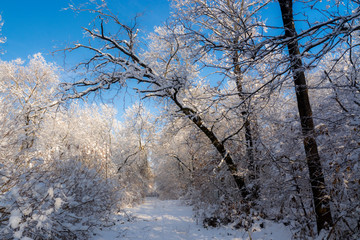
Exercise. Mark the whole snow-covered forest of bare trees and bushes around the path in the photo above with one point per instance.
(246, 110)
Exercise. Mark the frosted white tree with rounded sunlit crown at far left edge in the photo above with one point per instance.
(31, 88)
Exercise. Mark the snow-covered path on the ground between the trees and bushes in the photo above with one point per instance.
(171, 220)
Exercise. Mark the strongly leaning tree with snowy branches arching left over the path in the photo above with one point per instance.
(117, 61)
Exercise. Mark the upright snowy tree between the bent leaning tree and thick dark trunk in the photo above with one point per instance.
(225, 28)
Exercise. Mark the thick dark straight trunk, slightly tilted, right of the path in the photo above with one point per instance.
(320, 198)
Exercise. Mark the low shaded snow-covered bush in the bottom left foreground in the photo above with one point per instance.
(61, 200)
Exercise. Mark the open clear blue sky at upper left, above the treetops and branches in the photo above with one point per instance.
(32, 26)
